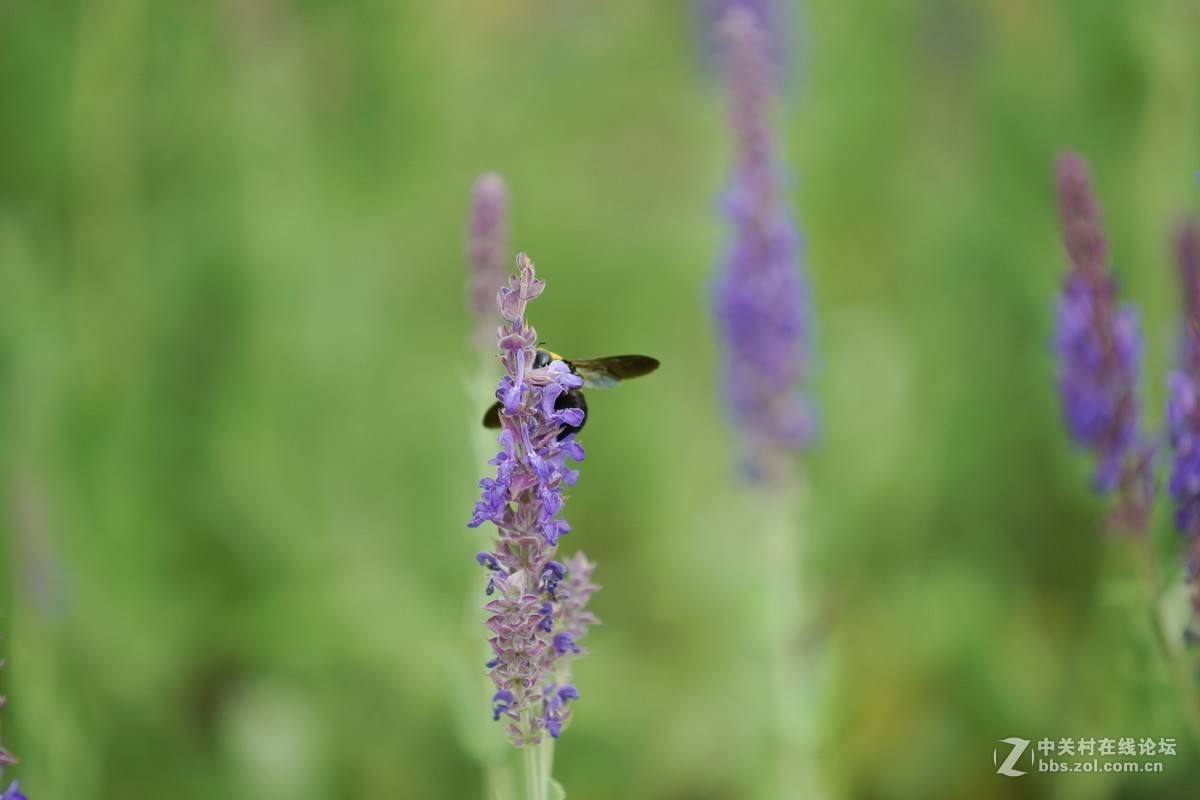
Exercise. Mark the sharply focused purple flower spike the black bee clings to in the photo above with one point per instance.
(538, 607)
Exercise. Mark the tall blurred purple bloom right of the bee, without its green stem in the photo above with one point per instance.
(763, 298)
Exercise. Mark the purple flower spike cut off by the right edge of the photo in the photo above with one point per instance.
(1184, 410)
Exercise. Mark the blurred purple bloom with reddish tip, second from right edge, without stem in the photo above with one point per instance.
(1100, 356)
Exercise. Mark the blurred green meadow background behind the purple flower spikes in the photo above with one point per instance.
(238, 455)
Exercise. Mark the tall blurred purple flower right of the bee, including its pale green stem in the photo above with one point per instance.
(764, 317)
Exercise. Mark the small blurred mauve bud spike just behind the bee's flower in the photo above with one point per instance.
(488, 250)
